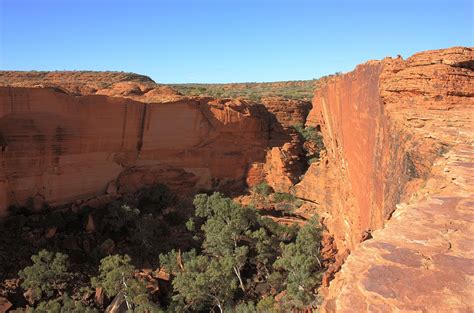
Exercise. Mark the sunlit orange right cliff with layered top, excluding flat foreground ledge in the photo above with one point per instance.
(376, 155)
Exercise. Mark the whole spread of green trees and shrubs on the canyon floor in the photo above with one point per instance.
(237, 260)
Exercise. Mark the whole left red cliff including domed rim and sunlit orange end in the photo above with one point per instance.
(189, 143)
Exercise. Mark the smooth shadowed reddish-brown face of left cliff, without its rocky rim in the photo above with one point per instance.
(56, 147)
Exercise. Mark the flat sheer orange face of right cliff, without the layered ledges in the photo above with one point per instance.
(350, 114)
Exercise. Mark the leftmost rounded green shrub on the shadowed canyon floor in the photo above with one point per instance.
(49, 273)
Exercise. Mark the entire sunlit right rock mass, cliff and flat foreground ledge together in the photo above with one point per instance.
(385, 124)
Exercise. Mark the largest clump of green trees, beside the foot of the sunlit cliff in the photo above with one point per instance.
(239, 248)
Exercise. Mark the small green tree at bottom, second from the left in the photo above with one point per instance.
(116, 274)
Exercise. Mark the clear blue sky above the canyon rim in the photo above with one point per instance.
(227, 40)
